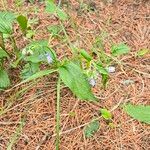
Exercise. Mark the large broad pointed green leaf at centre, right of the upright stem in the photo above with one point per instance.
(72, 75)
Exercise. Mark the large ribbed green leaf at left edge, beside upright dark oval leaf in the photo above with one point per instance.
(6, 20)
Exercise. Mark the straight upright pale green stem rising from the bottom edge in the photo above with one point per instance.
(58, 115)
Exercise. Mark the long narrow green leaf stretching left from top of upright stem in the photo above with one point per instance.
(38, 75)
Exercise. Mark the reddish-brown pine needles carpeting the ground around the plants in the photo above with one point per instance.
(122, 21)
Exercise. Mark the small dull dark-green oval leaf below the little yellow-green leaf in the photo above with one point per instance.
(91, 129)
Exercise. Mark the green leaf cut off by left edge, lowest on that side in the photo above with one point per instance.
(4, 79)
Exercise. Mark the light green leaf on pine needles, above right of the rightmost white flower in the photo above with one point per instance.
(120, 49)
